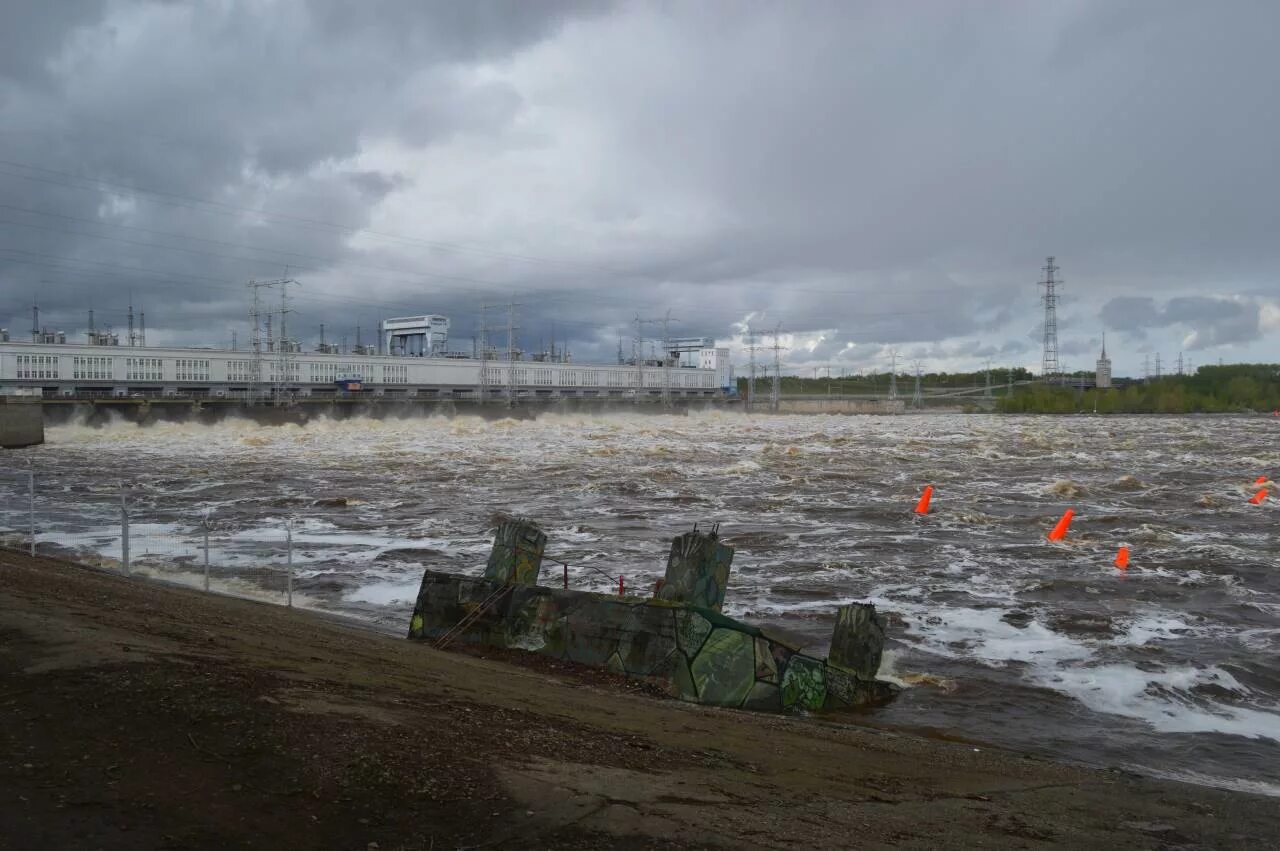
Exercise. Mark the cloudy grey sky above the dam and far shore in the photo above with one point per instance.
(857, 180)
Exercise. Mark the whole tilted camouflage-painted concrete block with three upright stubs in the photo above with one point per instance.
(678, 639)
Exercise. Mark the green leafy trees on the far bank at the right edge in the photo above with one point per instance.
(1212, 390)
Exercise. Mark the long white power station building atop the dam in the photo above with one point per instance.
(71, 370)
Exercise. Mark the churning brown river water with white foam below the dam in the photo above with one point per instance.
(998, 635)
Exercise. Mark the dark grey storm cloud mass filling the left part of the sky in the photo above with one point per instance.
(246, 106)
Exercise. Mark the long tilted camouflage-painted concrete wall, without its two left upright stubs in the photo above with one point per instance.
(696, 653)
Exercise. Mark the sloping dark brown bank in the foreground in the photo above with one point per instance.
(141, 716)
